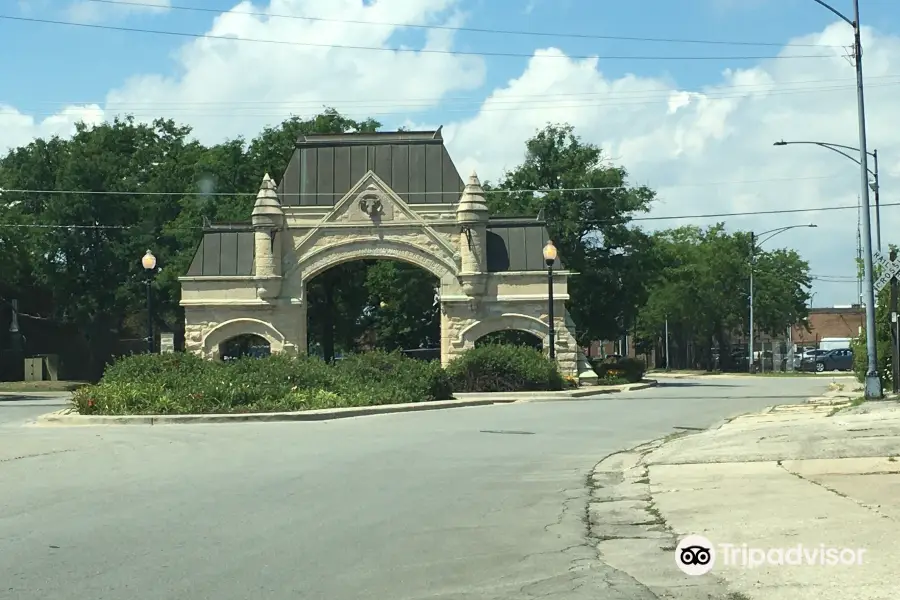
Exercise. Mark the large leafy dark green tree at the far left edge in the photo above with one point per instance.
(88, 245)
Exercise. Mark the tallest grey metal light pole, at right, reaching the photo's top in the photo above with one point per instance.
(873, 381)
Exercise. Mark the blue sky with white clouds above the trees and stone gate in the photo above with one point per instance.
(682, 153)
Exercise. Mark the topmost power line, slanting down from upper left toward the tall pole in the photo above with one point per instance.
(463, 29)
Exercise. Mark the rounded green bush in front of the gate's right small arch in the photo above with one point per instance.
(504, 368)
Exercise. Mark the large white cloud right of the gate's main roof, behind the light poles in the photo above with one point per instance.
(680, 141)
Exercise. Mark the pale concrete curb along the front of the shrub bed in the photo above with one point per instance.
(67, 417)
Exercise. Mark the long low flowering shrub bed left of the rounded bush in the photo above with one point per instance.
(184, 384)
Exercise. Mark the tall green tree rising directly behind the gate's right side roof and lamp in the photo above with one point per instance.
(588, 206)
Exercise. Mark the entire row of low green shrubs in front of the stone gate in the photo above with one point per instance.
(179, 383)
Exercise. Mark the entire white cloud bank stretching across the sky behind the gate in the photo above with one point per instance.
(679, 141)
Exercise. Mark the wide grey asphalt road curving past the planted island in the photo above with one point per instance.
(477, 503)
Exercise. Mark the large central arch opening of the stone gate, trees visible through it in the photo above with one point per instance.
(373, 304)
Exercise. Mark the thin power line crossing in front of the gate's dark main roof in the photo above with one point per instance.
(341, 194)
